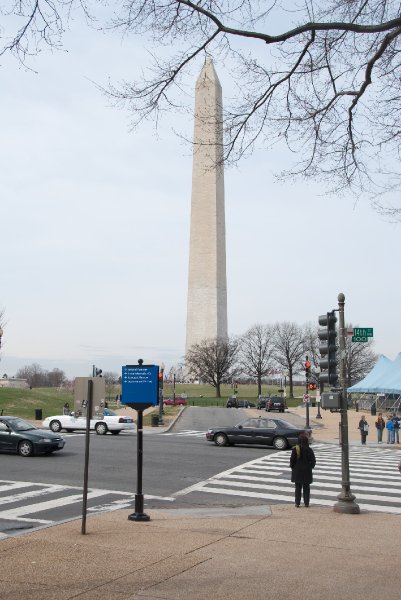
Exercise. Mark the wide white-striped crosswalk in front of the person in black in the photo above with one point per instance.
(375, 479)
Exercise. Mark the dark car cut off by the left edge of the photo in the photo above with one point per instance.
(23, 438)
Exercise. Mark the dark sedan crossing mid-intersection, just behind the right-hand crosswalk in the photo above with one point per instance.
(259, 430)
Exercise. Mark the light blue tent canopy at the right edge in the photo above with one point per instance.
(384, 378)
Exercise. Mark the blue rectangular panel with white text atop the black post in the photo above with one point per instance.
(140, 385)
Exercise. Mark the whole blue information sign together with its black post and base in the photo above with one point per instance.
(140, 387)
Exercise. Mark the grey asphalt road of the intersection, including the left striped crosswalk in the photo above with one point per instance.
(43, 489)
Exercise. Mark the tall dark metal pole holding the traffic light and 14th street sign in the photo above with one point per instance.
(346, 500)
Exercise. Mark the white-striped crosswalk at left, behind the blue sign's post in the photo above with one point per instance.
(28, 505)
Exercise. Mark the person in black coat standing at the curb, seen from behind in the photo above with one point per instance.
(302, 462)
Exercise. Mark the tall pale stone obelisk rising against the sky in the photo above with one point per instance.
(207, 285)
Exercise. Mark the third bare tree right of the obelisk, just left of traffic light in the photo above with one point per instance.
(289, 341)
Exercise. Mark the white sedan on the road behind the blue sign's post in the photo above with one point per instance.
(109, 422)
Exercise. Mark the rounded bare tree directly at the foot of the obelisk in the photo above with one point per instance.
(213, 361)
